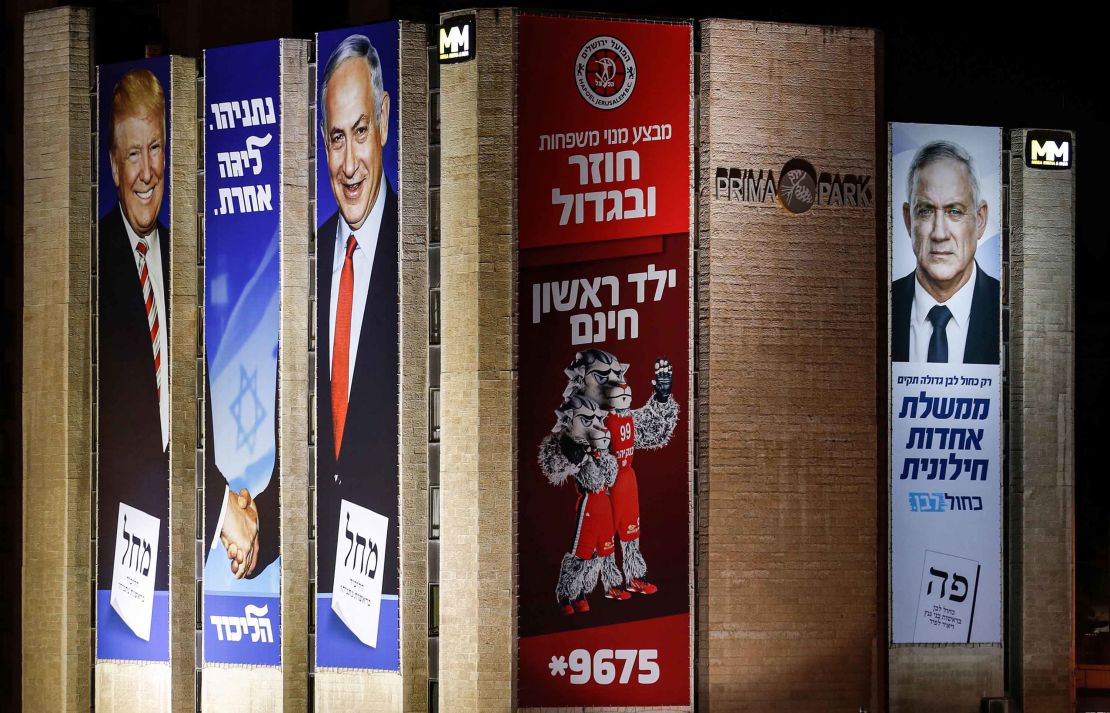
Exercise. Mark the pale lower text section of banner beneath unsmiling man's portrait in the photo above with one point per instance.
(946, 503)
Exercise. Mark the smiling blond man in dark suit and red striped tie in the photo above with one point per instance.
(134, 264)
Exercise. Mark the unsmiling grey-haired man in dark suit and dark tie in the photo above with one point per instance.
(947, 309)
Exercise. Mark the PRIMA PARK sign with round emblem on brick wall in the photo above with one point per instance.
(798, 187)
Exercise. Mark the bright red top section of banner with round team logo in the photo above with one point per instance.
(604, 130)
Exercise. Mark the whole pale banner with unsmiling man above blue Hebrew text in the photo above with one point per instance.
(946, 385)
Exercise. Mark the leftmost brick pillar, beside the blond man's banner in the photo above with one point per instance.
(57, 576)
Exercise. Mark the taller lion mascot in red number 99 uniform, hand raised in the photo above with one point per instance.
(601, 377)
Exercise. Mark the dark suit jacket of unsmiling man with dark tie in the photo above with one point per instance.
(983, 343)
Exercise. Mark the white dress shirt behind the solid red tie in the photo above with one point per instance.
(364, 262)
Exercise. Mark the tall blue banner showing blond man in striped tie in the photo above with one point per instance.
(133, 361)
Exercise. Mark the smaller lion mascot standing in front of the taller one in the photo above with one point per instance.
(578, 448)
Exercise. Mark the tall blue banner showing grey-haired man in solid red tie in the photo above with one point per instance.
(358, 348)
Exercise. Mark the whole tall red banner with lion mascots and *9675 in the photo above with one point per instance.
(604, 187)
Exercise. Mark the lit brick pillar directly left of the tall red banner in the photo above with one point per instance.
(477, 617)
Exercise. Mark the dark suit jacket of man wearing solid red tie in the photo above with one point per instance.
(366, 473)
